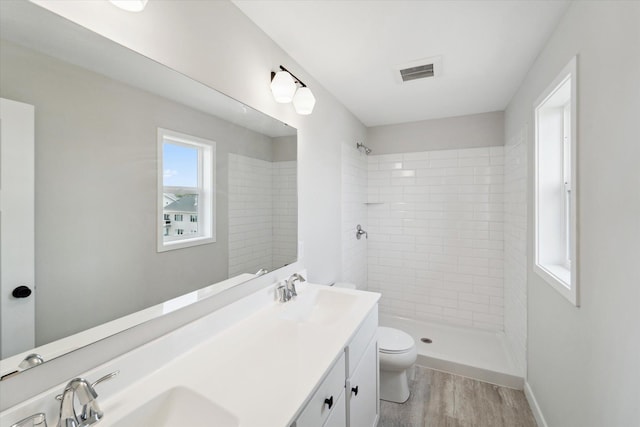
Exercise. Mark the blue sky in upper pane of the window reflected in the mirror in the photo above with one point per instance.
(180, 165)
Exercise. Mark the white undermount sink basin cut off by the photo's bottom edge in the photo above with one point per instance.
(179, 407)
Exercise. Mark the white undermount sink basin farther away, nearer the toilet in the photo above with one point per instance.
(319, 306)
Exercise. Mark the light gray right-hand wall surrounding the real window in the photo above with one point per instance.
(584, 363)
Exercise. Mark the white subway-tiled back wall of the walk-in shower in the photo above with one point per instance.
(436, 231)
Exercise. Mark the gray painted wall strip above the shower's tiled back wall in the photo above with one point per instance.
(476, 130)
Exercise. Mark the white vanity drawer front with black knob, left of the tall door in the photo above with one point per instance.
(317, 411)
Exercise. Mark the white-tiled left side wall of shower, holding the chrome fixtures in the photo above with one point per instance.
(354, 212)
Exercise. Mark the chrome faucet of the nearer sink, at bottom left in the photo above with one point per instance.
(86, 393)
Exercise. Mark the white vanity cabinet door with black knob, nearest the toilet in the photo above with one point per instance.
(362, 390)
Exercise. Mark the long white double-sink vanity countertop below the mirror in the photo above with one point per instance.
(246, 358)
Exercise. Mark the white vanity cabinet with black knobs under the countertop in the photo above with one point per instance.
(351, 386)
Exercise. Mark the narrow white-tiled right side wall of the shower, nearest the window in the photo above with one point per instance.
(515, 238)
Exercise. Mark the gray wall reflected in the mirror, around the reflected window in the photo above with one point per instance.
(96, 185)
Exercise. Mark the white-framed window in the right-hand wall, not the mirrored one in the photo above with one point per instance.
(555, 184)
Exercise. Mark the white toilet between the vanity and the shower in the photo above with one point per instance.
(397, 353)
